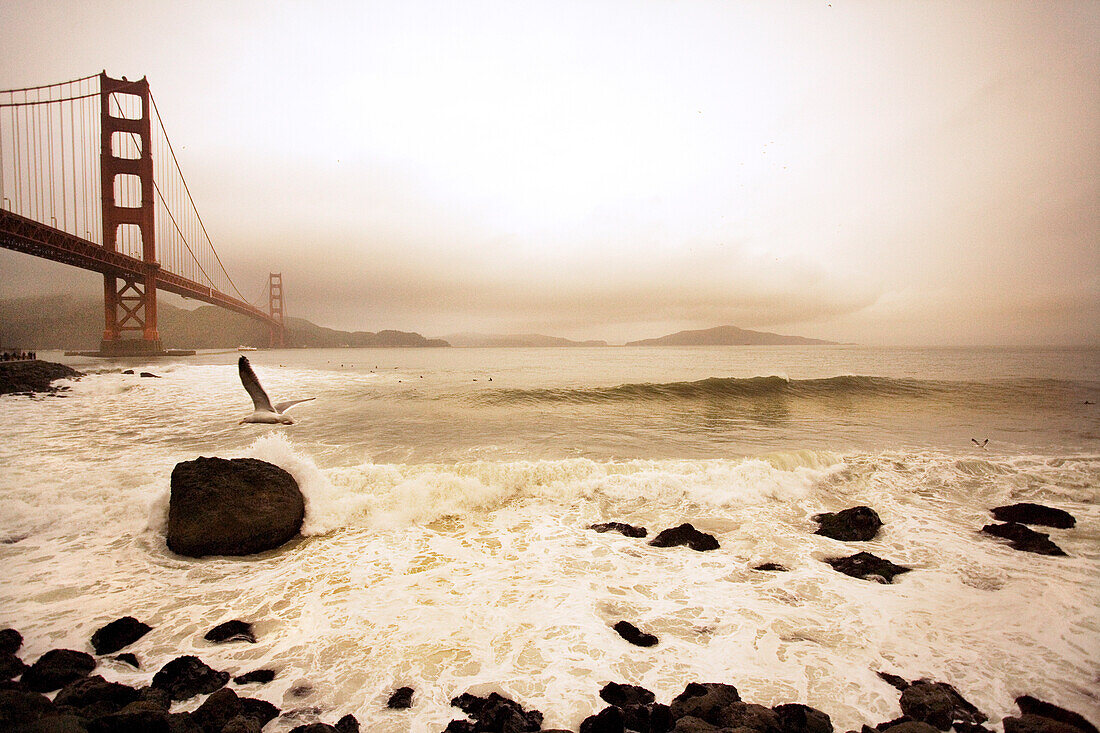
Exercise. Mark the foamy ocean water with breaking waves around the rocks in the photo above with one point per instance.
(449, 494)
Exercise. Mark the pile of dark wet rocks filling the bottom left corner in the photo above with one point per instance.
(89, 704)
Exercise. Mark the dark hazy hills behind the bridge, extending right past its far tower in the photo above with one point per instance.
(65, 322)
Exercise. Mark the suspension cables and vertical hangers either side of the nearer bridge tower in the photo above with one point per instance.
(50, 154)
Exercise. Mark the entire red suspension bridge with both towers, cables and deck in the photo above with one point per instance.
(89, 180)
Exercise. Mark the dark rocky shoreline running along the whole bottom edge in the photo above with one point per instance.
(84, 703)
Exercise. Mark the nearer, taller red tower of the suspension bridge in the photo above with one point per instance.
(130, 307)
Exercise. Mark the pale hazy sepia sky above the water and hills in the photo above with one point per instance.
(882, 172)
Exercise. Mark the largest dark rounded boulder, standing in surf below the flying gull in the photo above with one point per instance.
(237, 507)
